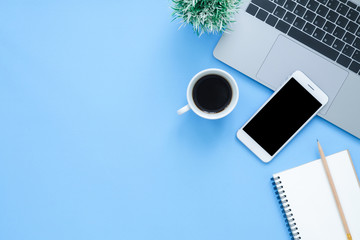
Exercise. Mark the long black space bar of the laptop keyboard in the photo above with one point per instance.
(313, 43)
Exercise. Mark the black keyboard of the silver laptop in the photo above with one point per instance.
(330, 27)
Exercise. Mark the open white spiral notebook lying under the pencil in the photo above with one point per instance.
(307, 202)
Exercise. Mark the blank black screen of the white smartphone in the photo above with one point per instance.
(282, 116)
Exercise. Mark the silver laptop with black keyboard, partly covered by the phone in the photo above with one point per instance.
(271, 39)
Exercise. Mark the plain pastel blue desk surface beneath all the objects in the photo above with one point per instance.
(91, 146)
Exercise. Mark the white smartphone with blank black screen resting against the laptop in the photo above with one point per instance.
(282, 116)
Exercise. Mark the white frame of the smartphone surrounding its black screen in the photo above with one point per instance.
(307, 84)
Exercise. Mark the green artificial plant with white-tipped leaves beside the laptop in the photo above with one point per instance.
(209, 16)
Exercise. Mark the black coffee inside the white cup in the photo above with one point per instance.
(212, 93)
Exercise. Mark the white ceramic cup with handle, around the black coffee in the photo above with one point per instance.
(205, 114)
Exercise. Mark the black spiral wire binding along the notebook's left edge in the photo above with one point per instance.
(285, 208)
